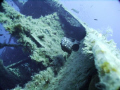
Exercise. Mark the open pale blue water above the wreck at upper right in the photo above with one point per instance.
(107, 13)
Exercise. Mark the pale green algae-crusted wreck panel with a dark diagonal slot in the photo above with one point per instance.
(41, 35)
